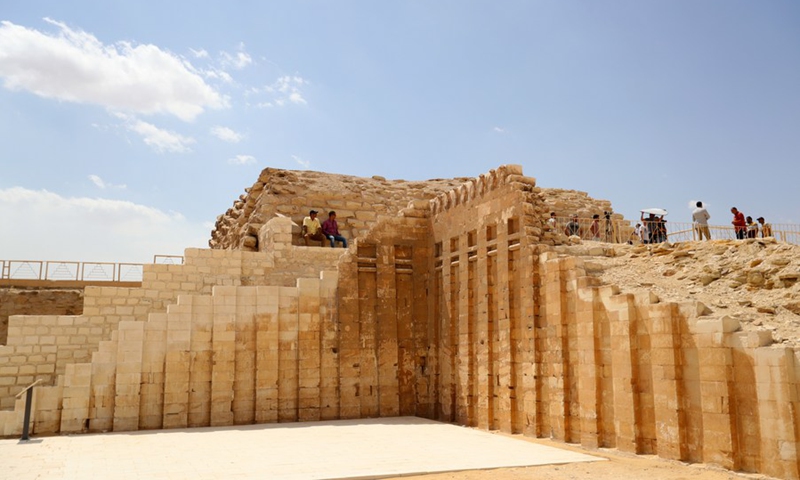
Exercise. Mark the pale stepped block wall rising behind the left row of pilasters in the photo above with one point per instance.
(42, 346)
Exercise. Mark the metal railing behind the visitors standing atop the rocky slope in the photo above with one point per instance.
(622, 231)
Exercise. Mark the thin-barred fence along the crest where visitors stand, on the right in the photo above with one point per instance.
(621, 231)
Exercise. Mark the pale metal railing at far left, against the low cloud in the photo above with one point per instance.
(79, 271)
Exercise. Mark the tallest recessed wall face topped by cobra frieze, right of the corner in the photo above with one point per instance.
(484, 234)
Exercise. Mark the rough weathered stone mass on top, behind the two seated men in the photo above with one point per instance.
(358, 201)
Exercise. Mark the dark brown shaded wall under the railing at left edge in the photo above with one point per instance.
(37, 301)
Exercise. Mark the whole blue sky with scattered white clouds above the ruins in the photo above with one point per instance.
(127, 127)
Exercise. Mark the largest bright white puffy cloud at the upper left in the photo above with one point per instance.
(74, 66)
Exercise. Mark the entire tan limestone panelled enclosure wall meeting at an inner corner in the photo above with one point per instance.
(457, 308)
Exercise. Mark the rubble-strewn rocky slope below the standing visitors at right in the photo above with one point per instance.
(754, 281)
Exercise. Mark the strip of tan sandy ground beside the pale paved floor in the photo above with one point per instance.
(619, 466)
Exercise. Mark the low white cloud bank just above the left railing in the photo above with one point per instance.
(100, 230)
